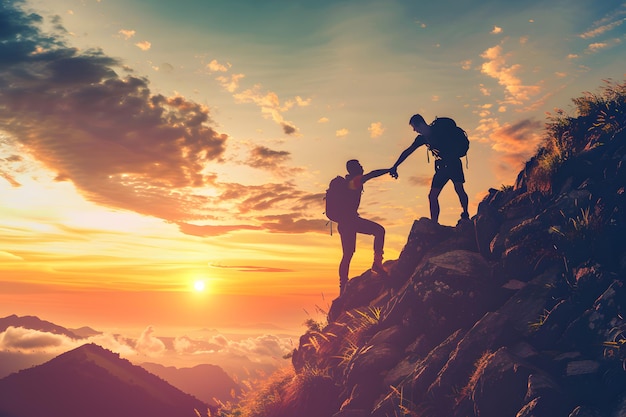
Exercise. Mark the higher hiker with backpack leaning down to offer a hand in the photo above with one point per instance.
(448, 144)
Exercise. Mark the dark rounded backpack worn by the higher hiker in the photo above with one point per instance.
(447, 139)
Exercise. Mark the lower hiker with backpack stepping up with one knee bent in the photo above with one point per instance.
(343, 198)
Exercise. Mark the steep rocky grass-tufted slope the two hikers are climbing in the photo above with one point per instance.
(517, 312)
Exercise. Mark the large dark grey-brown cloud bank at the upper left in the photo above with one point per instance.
(120, 144)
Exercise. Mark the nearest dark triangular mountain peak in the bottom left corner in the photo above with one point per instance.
(75, 381)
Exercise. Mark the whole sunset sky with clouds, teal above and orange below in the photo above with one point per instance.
(144, 149)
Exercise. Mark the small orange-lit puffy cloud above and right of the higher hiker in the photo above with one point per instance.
(496, 66)
